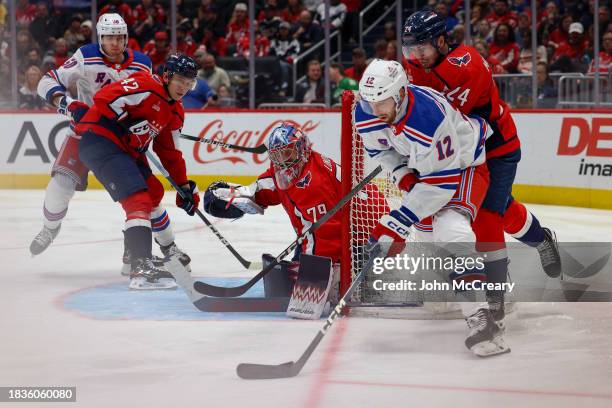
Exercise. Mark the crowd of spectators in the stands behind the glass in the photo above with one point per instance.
(215, 31)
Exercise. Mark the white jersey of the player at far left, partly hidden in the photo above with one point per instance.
(88, 71)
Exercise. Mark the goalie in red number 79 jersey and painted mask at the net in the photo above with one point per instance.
(307, 185)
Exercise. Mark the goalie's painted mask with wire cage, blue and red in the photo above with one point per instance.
(289, 150)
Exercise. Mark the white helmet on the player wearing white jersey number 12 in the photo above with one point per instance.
(382, 80)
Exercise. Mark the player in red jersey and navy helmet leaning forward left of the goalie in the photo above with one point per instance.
(127, 117)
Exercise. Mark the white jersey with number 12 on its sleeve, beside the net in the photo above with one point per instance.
(433, 140)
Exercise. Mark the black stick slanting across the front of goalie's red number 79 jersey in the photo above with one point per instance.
(217, 291)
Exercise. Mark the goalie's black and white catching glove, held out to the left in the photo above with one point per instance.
(225, 200)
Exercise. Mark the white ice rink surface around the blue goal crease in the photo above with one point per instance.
(561, 353)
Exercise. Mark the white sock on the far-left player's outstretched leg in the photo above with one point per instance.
(60, 191)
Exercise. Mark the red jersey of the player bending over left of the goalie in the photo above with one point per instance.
(119, 113)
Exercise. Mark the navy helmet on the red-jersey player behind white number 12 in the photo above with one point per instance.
(422, 27)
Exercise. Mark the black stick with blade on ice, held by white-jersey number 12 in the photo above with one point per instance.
(250, 371)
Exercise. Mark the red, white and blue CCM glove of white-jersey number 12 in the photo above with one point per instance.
(388, 238)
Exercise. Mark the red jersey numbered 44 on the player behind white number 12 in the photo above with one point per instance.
(466, 80)
